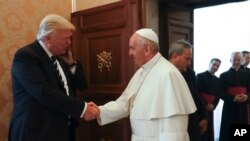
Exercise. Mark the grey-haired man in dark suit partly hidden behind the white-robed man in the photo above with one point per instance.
(180, 55)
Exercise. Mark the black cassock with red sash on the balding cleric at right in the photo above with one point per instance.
(233, 82)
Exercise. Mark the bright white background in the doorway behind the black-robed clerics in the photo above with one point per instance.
(218, 31)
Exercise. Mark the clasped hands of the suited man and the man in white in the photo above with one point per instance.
(92, 112)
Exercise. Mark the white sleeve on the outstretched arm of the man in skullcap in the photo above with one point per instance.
(114, 110)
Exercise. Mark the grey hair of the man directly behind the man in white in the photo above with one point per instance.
(178, 47)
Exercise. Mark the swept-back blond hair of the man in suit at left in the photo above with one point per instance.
(51, 23)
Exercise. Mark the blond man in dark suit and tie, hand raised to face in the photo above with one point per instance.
(44, 79)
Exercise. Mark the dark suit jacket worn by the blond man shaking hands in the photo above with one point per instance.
(41, 106)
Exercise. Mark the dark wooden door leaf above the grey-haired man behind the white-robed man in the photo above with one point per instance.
(175, 23)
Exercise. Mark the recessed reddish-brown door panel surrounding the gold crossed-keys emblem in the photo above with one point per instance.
(111, 41)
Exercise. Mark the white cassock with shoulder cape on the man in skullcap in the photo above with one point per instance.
(158, 101)
